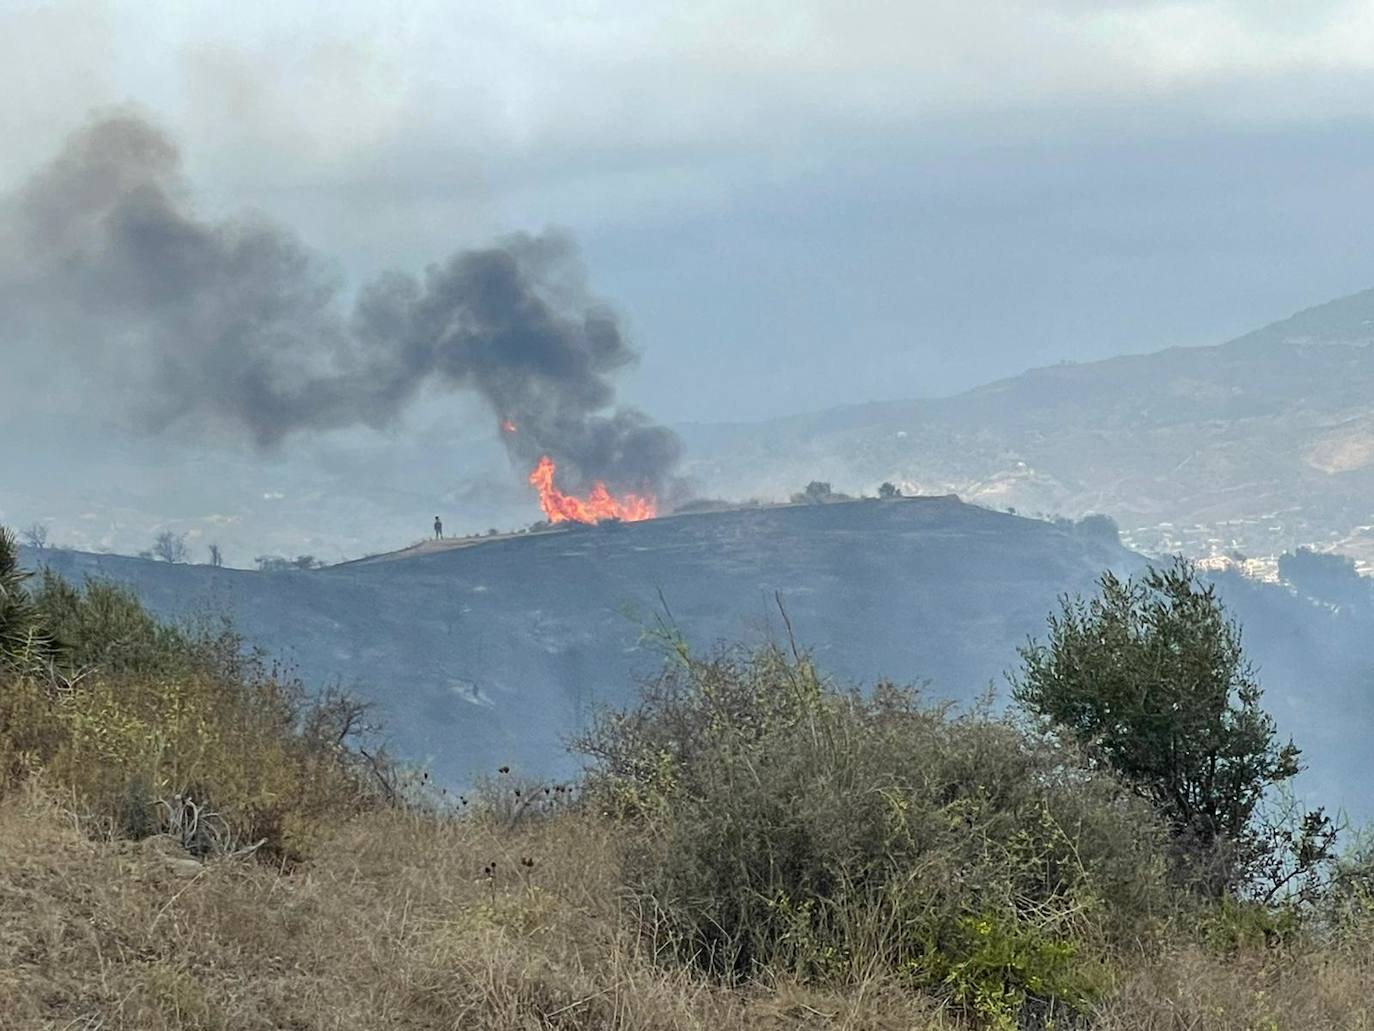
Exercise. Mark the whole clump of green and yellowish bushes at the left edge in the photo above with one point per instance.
(149, 728)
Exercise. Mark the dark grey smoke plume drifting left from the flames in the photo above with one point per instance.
(236, 325)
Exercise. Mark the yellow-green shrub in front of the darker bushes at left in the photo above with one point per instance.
(124, 747)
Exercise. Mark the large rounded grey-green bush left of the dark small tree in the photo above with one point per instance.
(781, 827)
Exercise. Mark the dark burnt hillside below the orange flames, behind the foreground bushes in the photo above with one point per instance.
(490, 655)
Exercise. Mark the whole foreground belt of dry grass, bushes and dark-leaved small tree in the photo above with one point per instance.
(189, 841)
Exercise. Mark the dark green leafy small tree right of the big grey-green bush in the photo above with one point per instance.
(1151, 677)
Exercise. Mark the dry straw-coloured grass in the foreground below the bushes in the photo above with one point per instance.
(399, 923)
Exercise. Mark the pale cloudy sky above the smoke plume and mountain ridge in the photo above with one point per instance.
(792, 204)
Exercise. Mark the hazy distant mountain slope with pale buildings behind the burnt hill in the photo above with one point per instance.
(1257, 446)
